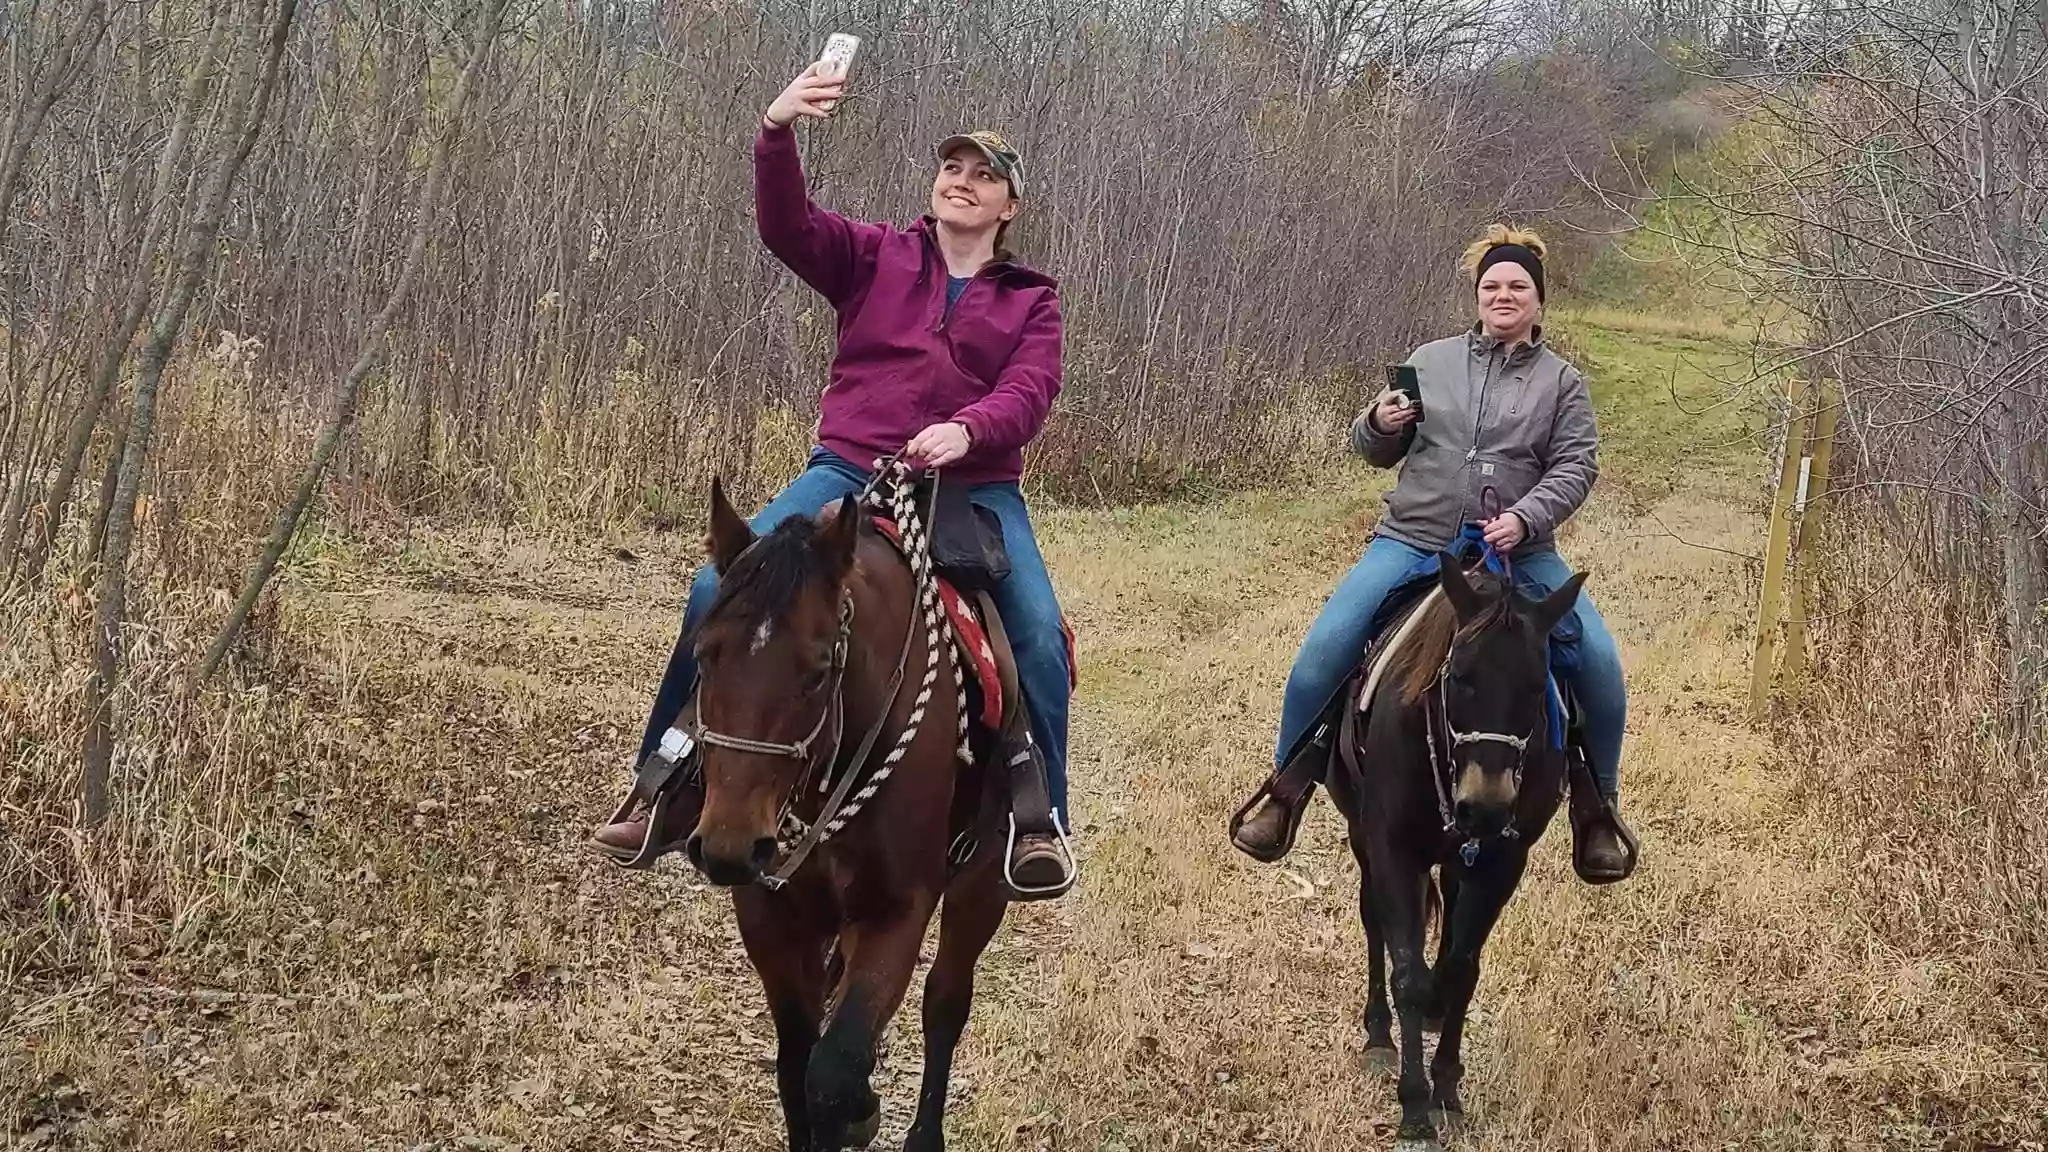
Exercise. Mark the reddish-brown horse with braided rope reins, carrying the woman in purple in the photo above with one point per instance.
(839, 807)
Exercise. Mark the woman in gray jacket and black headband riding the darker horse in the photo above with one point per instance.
(1504, 413)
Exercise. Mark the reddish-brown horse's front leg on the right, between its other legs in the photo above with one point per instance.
(880, 960)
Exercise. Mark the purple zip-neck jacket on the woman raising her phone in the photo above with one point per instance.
(902, 362)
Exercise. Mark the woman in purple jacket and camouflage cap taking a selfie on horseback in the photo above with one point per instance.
(949, 352)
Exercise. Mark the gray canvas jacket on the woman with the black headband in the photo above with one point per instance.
(1521, 421)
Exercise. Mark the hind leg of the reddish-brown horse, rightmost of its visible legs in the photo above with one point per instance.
(970, 919)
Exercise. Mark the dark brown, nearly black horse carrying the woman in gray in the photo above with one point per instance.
(1453, 770)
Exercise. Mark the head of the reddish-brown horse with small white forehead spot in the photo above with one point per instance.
(771, 655)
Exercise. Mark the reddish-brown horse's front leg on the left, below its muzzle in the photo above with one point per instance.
(790, 952)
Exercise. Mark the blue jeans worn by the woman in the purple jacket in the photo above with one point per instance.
(1025, 600)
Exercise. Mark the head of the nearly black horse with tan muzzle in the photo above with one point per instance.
(1496, 686)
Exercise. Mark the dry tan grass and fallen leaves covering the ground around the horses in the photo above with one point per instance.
(351, 911)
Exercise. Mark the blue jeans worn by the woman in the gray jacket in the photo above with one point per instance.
(1338, 641)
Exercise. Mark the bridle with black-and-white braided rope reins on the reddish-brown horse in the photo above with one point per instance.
(794, 837)
